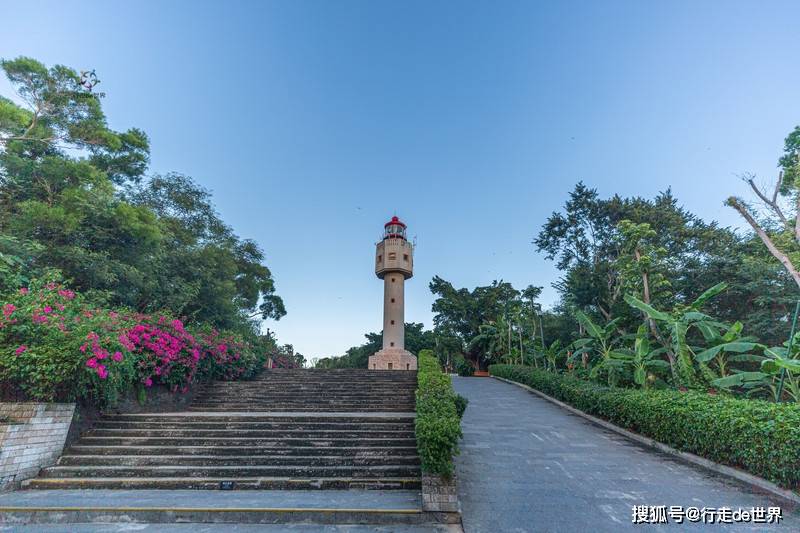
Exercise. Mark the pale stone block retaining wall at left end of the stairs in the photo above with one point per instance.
(34, 438)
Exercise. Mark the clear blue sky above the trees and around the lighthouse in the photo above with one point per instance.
(313, 122)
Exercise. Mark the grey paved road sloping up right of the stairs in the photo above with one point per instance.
(528, 465)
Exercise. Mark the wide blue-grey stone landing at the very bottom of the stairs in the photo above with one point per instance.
(130, 510)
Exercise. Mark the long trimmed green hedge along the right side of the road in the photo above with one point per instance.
(760, 437)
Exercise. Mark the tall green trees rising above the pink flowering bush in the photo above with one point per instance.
(74, 196)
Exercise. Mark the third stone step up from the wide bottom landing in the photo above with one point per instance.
(236, 460)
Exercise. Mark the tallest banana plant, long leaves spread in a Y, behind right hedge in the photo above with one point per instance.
(677, 324)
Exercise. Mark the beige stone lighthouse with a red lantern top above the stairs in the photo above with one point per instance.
(394, 264)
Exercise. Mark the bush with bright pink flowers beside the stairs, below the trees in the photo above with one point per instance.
(54, 345)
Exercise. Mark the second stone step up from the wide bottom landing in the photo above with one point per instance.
(230, 471)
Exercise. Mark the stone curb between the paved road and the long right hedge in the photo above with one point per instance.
(702, 462)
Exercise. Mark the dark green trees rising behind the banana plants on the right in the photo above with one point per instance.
(595, 242)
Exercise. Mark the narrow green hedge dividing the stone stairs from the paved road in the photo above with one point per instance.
(437, 426)
